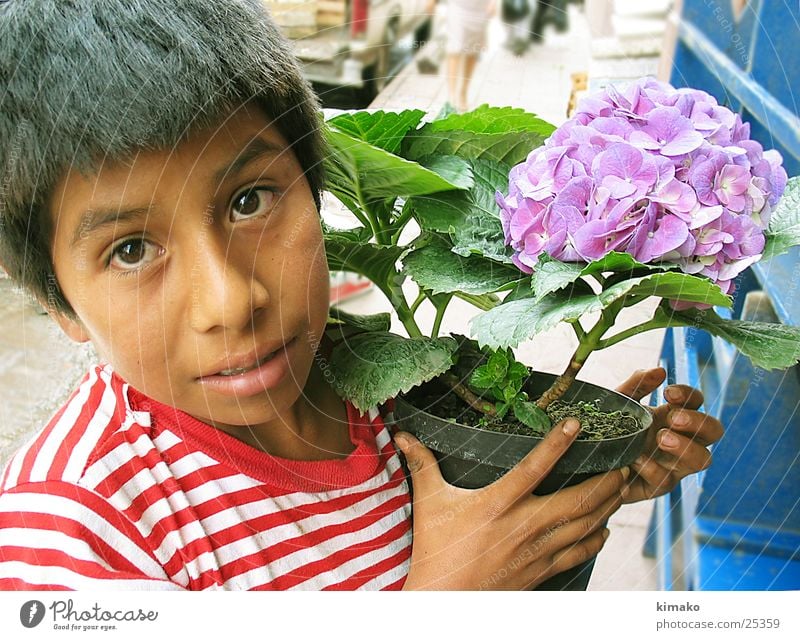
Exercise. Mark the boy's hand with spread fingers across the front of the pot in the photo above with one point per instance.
(502, 536)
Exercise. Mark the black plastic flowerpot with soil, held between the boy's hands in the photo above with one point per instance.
(471, 455)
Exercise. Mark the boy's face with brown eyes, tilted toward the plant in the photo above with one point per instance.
(198, 272)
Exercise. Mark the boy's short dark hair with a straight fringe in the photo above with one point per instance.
(81, 80)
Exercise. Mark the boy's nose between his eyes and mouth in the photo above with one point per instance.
(225, 290)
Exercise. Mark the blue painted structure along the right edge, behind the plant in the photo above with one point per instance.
(737, 524)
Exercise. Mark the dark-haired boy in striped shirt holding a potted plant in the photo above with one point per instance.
(161, 182)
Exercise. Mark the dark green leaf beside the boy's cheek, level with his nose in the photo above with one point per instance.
(351, 250)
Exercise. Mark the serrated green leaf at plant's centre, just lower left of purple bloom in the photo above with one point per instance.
(435, 267)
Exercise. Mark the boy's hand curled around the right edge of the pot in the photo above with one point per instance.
(677, 441)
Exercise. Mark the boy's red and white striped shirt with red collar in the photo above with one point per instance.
(121, 492)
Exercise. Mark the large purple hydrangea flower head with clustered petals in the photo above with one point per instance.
(664, 174)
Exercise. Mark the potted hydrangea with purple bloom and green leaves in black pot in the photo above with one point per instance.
(651, 192)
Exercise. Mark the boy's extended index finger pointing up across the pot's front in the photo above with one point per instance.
(520, 481)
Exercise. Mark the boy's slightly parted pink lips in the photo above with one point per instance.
(252, 373)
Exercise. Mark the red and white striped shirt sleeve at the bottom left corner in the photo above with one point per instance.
(59, 536)
